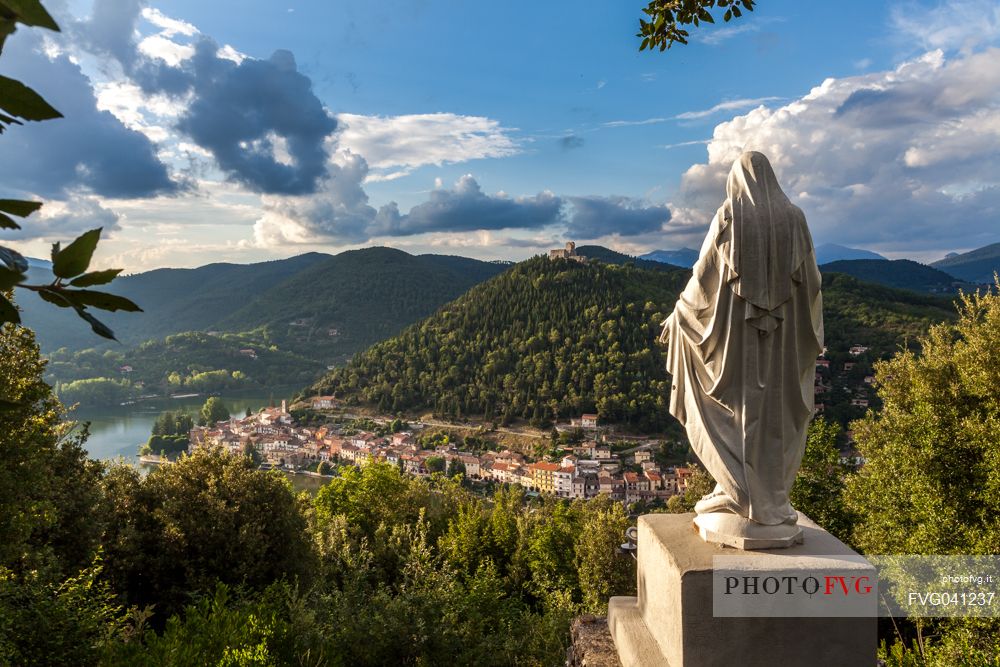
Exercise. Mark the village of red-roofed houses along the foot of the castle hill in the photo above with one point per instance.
(587, 470)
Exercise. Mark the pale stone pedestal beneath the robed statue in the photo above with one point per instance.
(674, 621)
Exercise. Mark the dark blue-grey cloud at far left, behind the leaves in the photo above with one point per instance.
(89, 148)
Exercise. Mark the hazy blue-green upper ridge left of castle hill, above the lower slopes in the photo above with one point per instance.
(325, 306)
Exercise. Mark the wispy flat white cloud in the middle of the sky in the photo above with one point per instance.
(415, 140)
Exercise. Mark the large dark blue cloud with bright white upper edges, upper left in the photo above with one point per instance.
(260, 119)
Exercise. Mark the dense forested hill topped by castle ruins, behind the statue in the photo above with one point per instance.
(552, 339)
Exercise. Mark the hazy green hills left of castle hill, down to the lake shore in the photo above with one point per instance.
(299, 316)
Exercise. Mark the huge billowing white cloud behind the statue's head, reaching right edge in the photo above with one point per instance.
(900, 158)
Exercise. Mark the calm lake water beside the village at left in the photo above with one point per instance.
(119, 431)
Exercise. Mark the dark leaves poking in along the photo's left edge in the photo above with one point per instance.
(19, 103)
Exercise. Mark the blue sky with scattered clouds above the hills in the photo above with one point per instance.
(223, 131)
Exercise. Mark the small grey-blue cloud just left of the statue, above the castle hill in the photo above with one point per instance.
(594, 217)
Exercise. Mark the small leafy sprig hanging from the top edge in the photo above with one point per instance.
(667, 19)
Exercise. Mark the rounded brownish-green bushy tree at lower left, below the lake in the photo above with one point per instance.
(208, 518)
